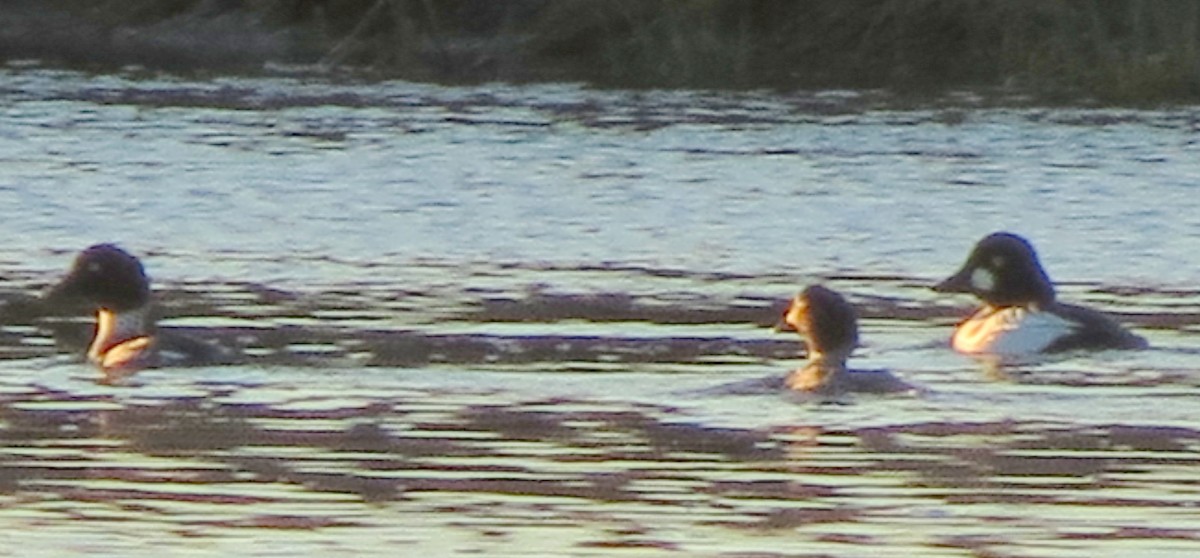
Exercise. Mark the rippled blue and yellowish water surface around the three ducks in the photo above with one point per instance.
(499, 320)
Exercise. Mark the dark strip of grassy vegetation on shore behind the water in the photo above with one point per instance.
(1113, 51)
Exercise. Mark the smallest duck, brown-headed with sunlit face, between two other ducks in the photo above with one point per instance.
(829, 326)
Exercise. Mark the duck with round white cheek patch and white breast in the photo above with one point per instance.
(1021, 316)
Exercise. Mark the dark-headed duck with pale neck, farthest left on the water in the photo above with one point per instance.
(115, 285)
